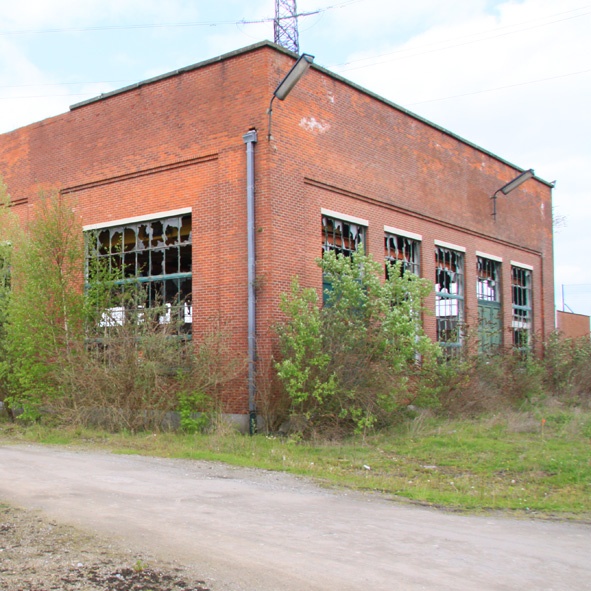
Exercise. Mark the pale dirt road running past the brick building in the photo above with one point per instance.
(250, 530)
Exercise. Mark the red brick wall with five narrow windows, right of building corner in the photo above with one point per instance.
(359, 156)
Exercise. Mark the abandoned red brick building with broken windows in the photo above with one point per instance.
(159, 169)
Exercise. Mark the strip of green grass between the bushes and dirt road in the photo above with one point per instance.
(532, 463)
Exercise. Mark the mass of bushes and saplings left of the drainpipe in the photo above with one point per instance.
(82, 346)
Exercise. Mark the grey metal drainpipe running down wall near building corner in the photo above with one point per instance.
(250, 139)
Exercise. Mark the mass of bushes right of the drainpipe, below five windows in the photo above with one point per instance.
(360, 360)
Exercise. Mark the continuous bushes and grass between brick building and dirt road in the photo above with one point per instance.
(371, 402)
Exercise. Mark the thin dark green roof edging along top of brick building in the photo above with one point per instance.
(267, 43)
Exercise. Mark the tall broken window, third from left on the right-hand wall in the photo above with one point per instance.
(449, 296)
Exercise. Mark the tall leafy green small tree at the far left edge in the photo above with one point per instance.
(44, 313)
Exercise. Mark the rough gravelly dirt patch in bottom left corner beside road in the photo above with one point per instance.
(37, 554)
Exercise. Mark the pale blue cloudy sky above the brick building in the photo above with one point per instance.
(512, 76)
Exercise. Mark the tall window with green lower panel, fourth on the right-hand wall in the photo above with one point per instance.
(488, 294)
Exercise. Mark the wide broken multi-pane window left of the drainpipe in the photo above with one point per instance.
(155, 255)
